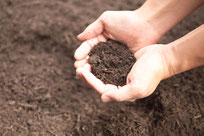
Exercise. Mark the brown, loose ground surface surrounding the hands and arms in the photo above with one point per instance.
(40, 94)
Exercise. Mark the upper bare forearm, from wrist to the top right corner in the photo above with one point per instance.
(165, 14)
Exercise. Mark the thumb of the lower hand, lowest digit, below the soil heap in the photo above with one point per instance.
(119, 94)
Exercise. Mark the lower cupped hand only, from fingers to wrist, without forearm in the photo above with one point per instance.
(151, 67)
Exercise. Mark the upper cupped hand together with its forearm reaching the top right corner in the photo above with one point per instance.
(139, 28)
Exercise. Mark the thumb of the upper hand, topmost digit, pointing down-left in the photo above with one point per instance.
(91, 31)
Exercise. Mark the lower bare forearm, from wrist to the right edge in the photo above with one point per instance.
(187, 52)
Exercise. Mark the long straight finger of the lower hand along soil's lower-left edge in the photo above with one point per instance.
(94, 82)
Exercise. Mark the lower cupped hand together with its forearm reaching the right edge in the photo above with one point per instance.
(154, 63)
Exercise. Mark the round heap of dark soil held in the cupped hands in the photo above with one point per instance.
(111, 62)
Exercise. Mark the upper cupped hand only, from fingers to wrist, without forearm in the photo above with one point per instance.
(128, 27)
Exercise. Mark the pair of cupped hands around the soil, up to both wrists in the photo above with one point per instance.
(152, 59)
